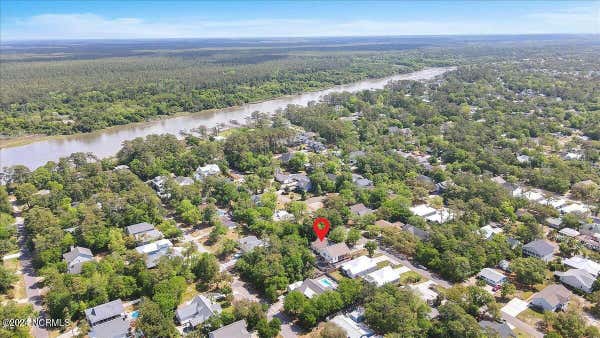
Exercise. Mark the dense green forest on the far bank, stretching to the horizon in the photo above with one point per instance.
(80, 88)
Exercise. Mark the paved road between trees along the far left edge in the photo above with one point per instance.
(33, 287)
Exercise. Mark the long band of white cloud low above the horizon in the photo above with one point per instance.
(87, 25)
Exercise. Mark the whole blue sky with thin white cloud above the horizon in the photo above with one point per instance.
(26, 20)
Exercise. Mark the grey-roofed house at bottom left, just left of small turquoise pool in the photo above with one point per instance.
(108, 320)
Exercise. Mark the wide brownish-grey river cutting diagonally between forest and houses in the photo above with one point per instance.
(105, 143)
